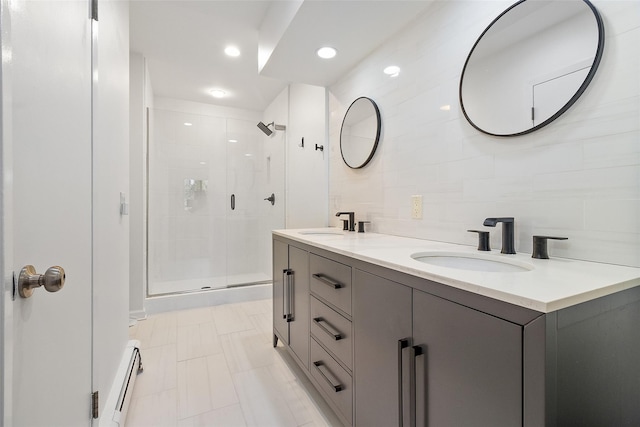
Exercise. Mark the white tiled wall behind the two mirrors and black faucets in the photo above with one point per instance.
(579, 177)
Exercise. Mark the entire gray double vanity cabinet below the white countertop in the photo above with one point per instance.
(387, 348)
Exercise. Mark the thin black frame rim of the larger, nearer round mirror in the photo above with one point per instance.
(574, 98)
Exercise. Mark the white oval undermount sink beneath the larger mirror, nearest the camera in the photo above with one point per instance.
(473, 262)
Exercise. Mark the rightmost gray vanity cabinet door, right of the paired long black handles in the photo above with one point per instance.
(470, 370)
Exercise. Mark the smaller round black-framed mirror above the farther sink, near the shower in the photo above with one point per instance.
(360, 132)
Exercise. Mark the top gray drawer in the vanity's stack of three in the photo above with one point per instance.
(332, 281)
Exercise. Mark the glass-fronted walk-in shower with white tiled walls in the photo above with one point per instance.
(209, 225)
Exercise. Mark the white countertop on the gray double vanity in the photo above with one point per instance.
(550, 285)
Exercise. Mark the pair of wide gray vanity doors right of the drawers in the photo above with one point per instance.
(418, 355)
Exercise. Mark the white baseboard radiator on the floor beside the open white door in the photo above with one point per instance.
(117, 405)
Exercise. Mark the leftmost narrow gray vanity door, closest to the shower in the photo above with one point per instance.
(280, 264)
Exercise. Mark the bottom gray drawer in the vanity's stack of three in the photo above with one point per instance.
(333, 380)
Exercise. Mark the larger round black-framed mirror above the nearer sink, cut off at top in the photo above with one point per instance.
(530, 65)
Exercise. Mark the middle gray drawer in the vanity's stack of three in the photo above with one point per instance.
(333, 331)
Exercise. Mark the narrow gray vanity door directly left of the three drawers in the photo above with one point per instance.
(299, 325)
